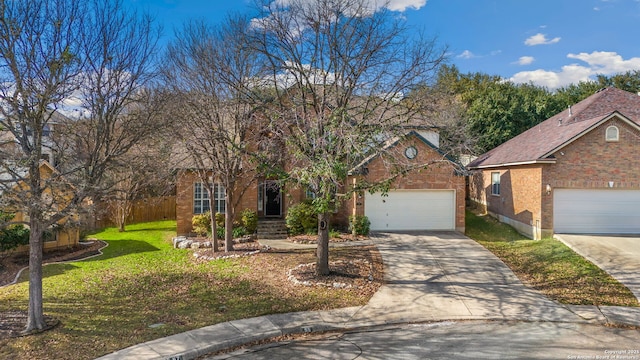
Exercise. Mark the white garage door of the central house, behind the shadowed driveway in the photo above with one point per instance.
(411, 210)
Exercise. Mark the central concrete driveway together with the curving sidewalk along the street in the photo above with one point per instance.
(430, 277)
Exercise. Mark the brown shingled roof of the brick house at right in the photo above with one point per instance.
(537, 144)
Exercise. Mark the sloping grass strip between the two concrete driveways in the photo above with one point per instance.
(548, 265)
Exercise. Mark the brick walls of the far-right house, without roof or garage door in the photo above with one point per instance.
(589, 162)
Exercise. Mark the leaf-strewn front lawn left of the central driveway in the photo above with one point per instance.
(142, 289)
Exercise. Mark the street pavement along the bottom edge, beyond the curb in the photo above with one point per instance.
(458, 340)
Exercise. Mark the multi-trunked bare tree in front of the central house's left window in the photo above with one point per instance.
(210, 72)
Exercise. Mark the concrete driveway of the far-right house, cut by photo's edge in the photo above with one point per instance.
(619, 256)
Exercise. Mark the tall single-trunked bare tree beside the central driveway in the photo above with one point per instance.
(341, 69)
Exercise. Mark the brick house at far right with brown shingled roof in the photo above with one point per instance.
(576, 172)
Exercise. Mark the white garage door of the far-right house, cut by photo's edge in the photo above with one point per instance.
(605, 211)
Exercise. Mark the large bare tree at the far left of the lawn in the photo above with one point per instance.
(90, 60)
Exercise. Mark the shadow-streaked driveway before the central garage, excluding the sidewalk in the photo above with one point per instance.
(436, 275)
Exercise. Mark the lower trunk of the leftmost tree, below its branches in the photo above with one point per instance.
(35, 318)
